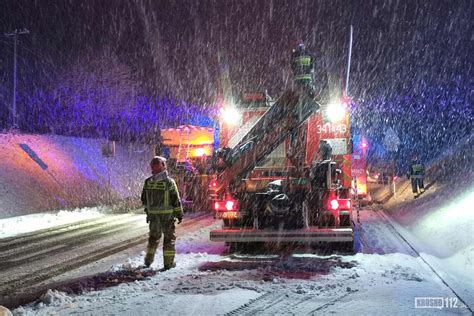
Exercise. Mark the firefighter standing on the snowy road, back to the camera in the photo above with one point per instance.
(160, 197)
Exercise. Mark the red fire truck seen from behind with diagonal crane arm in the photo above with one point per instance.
(307, 196)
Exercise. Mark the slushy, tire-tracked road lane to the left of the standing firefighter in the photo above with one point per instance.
(29, 261)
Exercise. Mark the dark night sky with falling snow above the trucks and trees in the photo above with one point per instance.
(409, 57)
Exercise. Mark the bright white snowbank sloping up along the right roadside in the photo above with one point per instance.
(440, 224)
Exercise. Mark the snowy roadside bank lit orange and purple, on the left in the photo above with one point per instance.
(41, 173)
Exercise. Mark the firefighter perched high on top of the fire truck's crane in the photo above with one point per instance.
(302, 66)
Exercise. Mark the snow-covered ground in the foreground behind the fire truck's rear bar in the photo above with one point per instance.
(385, 276)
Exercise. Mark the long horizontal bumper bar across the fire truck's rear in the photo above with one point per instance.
(310, 235)
